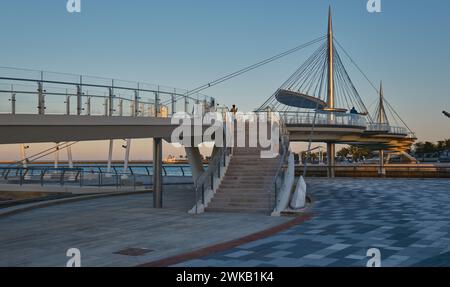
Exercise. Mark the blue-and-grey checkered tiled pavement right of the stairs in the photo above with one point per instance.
(407, 220)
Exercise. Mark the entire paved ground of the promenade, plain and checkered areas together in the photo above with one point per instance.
(408, 220)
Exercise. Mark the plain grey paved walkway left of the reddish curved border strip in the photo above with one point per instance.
(102, 227)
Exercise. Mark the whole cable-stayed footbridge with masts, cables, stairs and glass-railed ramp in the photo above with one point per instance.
(318, 103)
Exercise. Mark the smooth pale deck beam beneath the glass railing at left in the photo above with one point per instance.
(55, 128)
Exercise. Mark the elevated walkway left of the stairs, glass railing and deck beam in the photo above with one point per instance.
(38, 106)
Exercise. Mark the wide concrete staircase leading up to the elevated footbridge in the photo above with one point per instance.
(246, 184)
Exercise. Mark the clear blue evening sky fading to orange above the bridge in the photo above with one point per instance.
(186, 43)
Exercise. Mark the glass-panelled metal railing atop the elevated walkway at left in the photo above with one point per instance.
(25, 91)
